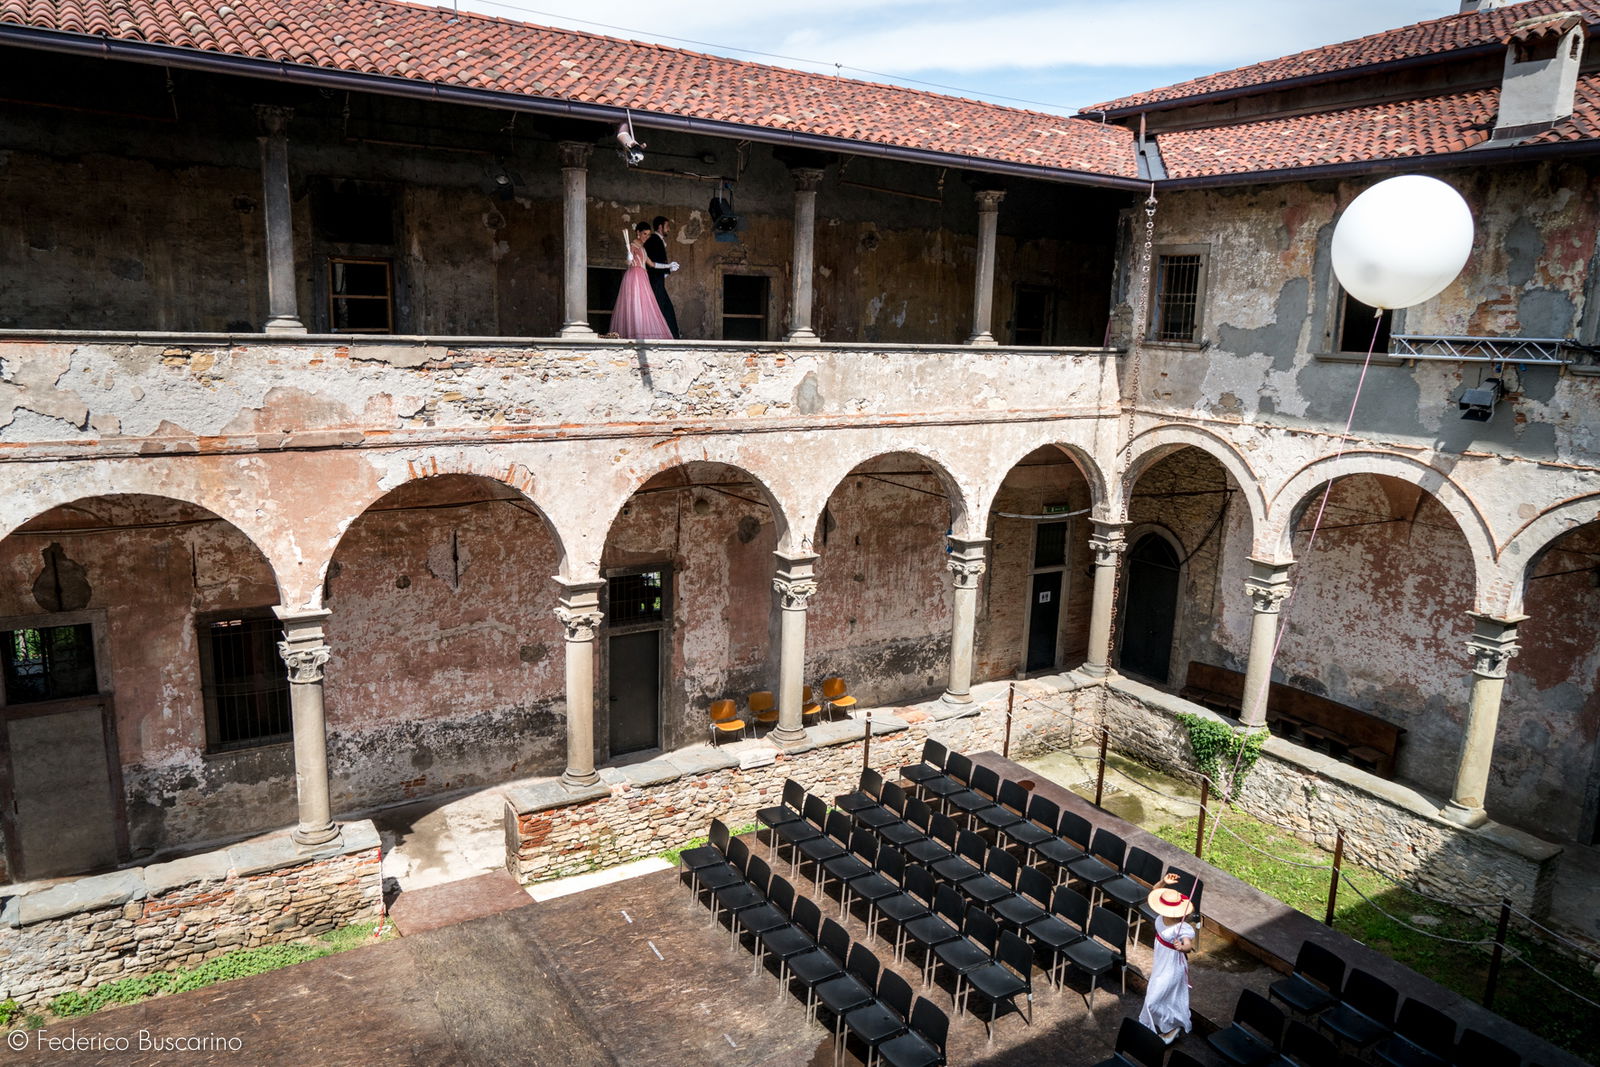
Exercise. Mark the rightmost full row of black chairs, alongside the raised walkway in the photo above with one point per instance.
(1068, 841)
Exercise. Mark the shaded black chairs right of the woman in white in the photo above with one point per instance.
(1362, 1012)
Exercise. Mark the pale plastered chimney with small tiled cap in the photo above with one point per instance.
(1542, 74)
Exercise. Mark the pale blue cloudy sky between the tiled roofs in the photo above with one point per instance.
(1058, 55)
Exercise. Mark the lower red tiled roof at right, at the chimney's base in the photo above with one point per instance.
(1362, 135)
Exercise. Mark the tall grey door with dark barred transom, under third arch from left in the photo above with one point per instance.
(638, 612)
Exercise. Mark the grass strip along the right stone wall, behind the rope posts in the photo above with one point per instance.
(1524, 997)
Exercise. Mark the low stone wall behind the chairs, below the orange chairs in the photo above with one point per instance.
(649, 809)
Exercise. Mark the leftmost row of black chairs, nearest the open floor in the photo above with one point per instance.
(842, 977)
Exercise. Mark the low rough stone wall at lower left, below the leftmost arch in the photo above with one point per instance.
(166, 917)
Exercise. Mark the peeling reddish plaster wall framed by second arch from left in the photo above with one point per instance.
(447, 655)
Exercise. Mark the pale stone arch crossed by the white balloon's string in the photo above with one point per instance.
(1297, 492)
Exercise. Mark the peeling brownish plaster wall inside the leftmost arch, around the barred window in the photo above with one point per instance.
(151, 565)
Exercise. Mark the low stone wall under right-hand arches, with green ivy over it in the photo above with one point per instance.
(1386, 826)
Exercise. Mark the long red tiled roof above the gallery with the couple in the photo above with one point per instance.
(385, 38)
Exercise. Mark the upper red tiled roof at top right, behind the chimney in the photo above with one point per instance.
(1410, 42)
